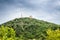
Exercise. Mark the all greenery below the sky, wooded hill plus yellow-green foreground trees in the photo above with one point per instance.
(29, 29)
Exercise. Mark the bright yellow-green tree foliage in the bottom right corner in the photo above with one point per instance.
(53, 35)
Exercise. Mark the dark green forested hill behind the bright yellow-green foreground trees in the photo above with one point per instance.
(30, 28)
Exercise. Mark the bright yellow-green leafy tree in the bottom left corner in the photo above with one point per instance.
(7, 33)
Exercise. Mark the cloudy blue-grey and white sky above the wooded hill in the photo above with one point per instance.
(47, 10)
